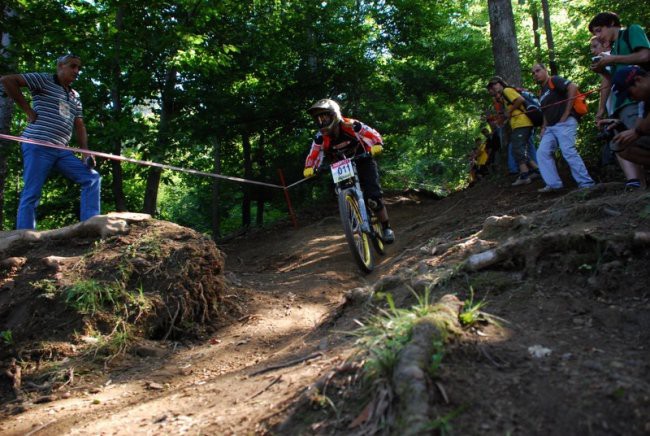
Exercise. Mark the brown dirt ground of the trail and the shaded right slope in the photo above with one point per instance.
(569, 355)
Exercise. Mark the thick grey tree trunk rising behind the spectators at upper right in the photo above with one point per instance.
(504, 41)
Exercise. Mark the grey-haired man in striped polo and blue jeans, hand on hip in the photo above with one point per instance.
(55, 112)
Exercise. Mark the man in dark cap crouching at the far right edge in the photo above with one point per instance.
(633, 144)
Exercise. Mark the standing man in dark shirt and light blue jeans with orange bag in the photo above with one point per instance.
(558, 130)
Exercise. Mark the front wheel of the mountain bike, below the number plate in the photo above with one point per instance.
(358, 241)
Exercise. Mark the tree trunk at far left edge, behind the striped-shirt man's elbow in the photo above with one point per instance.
(6, 115)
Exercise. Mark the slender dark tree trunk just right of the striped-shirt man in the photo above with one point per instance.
(116, 145)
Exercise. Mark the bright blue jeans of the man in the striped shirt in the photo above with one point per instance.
(38, 161)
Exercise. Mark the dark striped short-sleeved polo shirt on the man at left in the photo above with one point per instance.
(56, 109)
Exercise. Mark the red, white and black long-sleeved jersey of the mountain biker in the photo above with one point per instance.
(352, 133)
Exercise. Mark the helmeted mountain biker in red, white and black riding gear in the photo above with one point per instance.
(337, 133)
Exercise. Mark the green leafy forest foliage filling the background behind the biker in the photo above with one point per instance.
(189, 83)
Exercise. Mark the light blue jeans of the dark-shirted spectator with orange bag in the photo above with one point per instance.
(562, 135)
